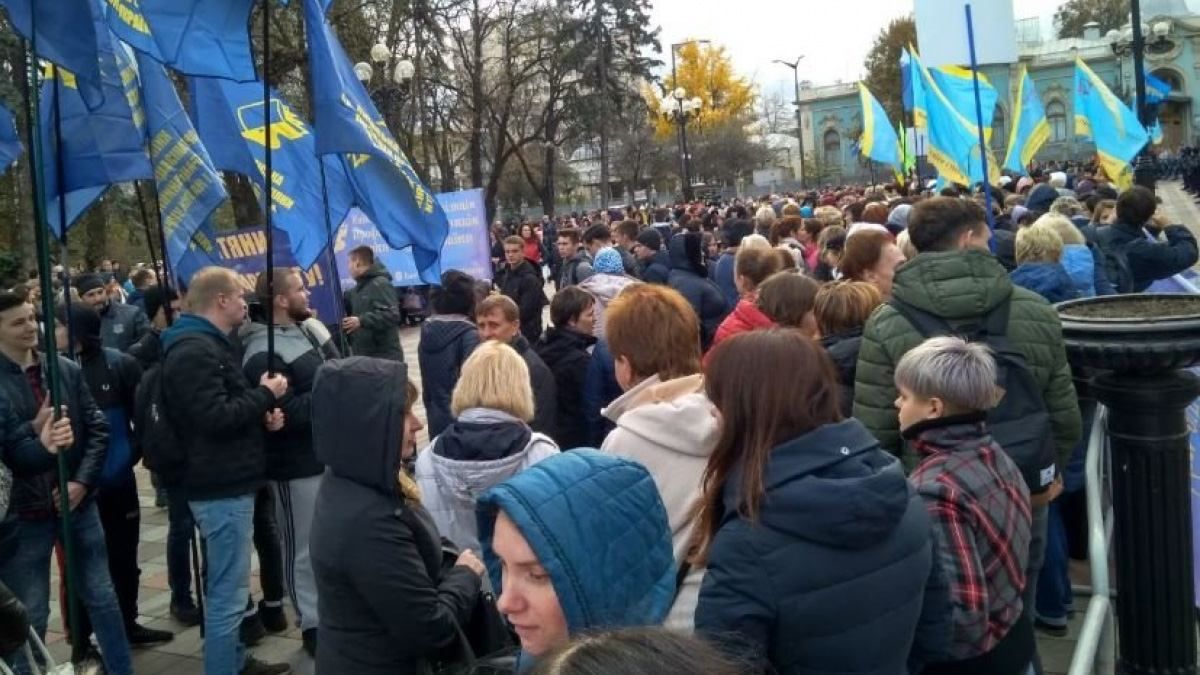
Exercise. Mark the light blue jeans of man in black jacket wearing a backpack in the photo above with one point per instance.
(226, 527)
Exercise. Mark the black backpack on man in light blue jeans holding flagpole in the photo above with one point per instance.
(163, 450)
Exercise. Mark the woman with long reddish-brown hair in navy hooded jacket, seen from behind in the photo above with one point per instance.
(819, 553)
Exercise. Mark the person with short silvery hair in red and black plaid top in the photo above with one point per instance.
(977, 500)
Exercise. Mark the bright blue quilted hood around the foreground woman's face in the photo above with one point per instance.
(601, 531)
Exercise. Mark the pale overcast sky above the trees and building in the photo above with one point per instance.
(833, 35)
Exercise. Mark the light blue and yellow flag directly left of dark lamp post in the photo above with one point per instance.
(1109, 123)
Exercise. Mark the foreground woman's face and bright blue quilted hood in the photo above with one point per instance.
(578, 543)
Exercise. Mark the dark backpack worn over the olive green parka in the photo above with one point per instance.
(1021, 423)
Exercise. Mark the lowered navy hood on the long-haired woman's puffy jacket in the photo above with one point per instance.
(835, 486)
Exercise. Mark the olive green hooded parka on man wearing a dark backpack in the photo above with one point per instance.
(961, 288)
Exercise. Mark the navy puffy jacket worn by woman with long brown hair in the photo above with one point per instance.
(835, 576)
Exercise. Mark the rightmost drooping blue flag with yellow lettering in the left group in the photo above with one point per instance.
(349, 123)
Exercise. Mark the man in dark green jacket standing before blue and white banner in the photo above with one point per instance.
(374, 321)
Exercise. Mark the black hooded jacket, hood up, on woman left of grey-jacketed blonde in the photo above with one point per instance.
(386, 605)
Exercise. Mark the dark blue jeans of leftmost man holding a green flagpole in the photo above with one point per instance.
(28, 574)
